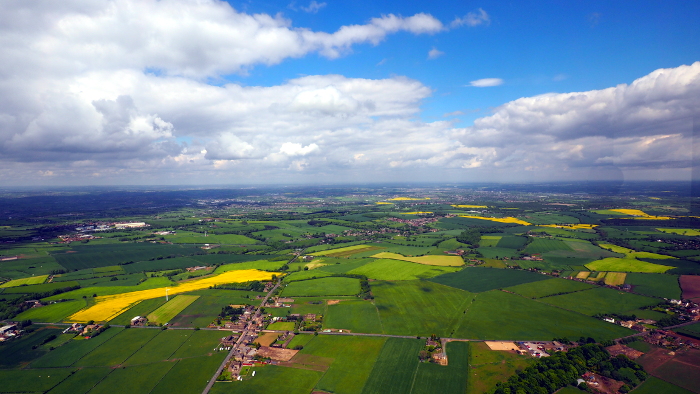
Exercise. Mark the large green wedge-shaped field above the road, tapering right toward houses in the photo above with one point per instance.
(502, 316)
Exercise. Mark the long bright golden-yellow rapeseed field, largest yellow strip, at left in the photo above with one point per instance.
(108, 307)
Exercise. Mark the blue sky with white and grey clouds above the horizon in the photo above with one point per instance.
(192, 92)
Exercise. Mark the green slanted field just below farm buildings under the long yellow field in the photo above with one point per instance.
(118, 349)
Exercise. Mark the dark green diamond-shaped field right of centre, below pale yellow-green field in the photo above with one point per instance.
(478, 279)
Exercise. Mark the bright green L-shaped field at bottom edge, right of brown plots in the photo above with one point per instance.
(353, 360)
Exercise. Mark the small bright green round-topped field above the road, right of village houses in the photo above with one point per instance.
(353, 315)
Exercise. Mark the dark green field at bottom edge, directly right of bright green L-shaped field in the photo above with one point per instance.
(395, 368)
